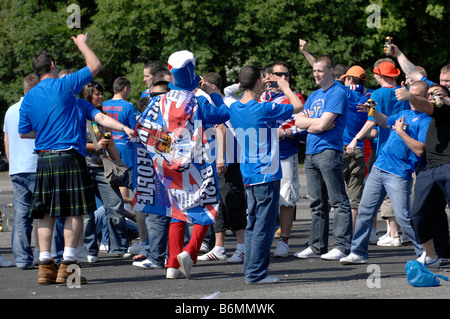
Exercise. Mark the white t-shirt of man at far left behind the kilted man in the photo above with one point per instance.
(22, 158)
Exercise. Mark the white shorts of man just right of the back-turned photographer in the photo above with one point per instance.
(290, 183)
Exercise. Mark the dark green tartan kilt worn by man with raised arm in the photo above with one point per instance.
(63, 186)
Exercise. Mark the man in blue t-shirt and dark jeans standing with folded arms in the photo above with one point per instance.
(324, 118)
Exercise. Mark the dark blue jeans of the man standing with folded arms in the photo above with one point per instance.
(325, 181)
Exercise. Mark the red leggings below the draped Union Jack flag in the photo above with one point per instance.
(176, 241)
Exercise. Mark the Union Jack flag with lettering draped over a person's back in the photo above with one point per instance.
(172, 173)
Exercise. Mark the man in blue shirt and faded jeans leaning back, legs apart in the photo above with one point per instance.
(391, 175)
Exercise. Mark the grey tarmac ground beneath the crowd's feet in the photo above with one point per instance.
(113, 277)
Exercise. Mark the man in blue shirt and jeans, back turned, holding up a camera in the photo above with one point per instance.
(256, 129)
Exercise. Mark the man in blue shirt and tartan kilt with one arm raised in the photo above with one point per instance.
(53, 115)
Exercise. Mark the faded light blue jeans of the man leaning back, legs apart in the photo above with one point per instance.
(378, 184)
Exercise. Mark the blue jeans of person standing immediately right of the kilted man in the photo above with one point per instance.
(115, 217)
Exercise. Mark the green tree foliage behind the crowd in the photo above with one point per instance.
(223, 35)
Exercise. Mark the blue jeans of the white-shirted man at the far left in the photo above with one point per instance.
(23, 186)
